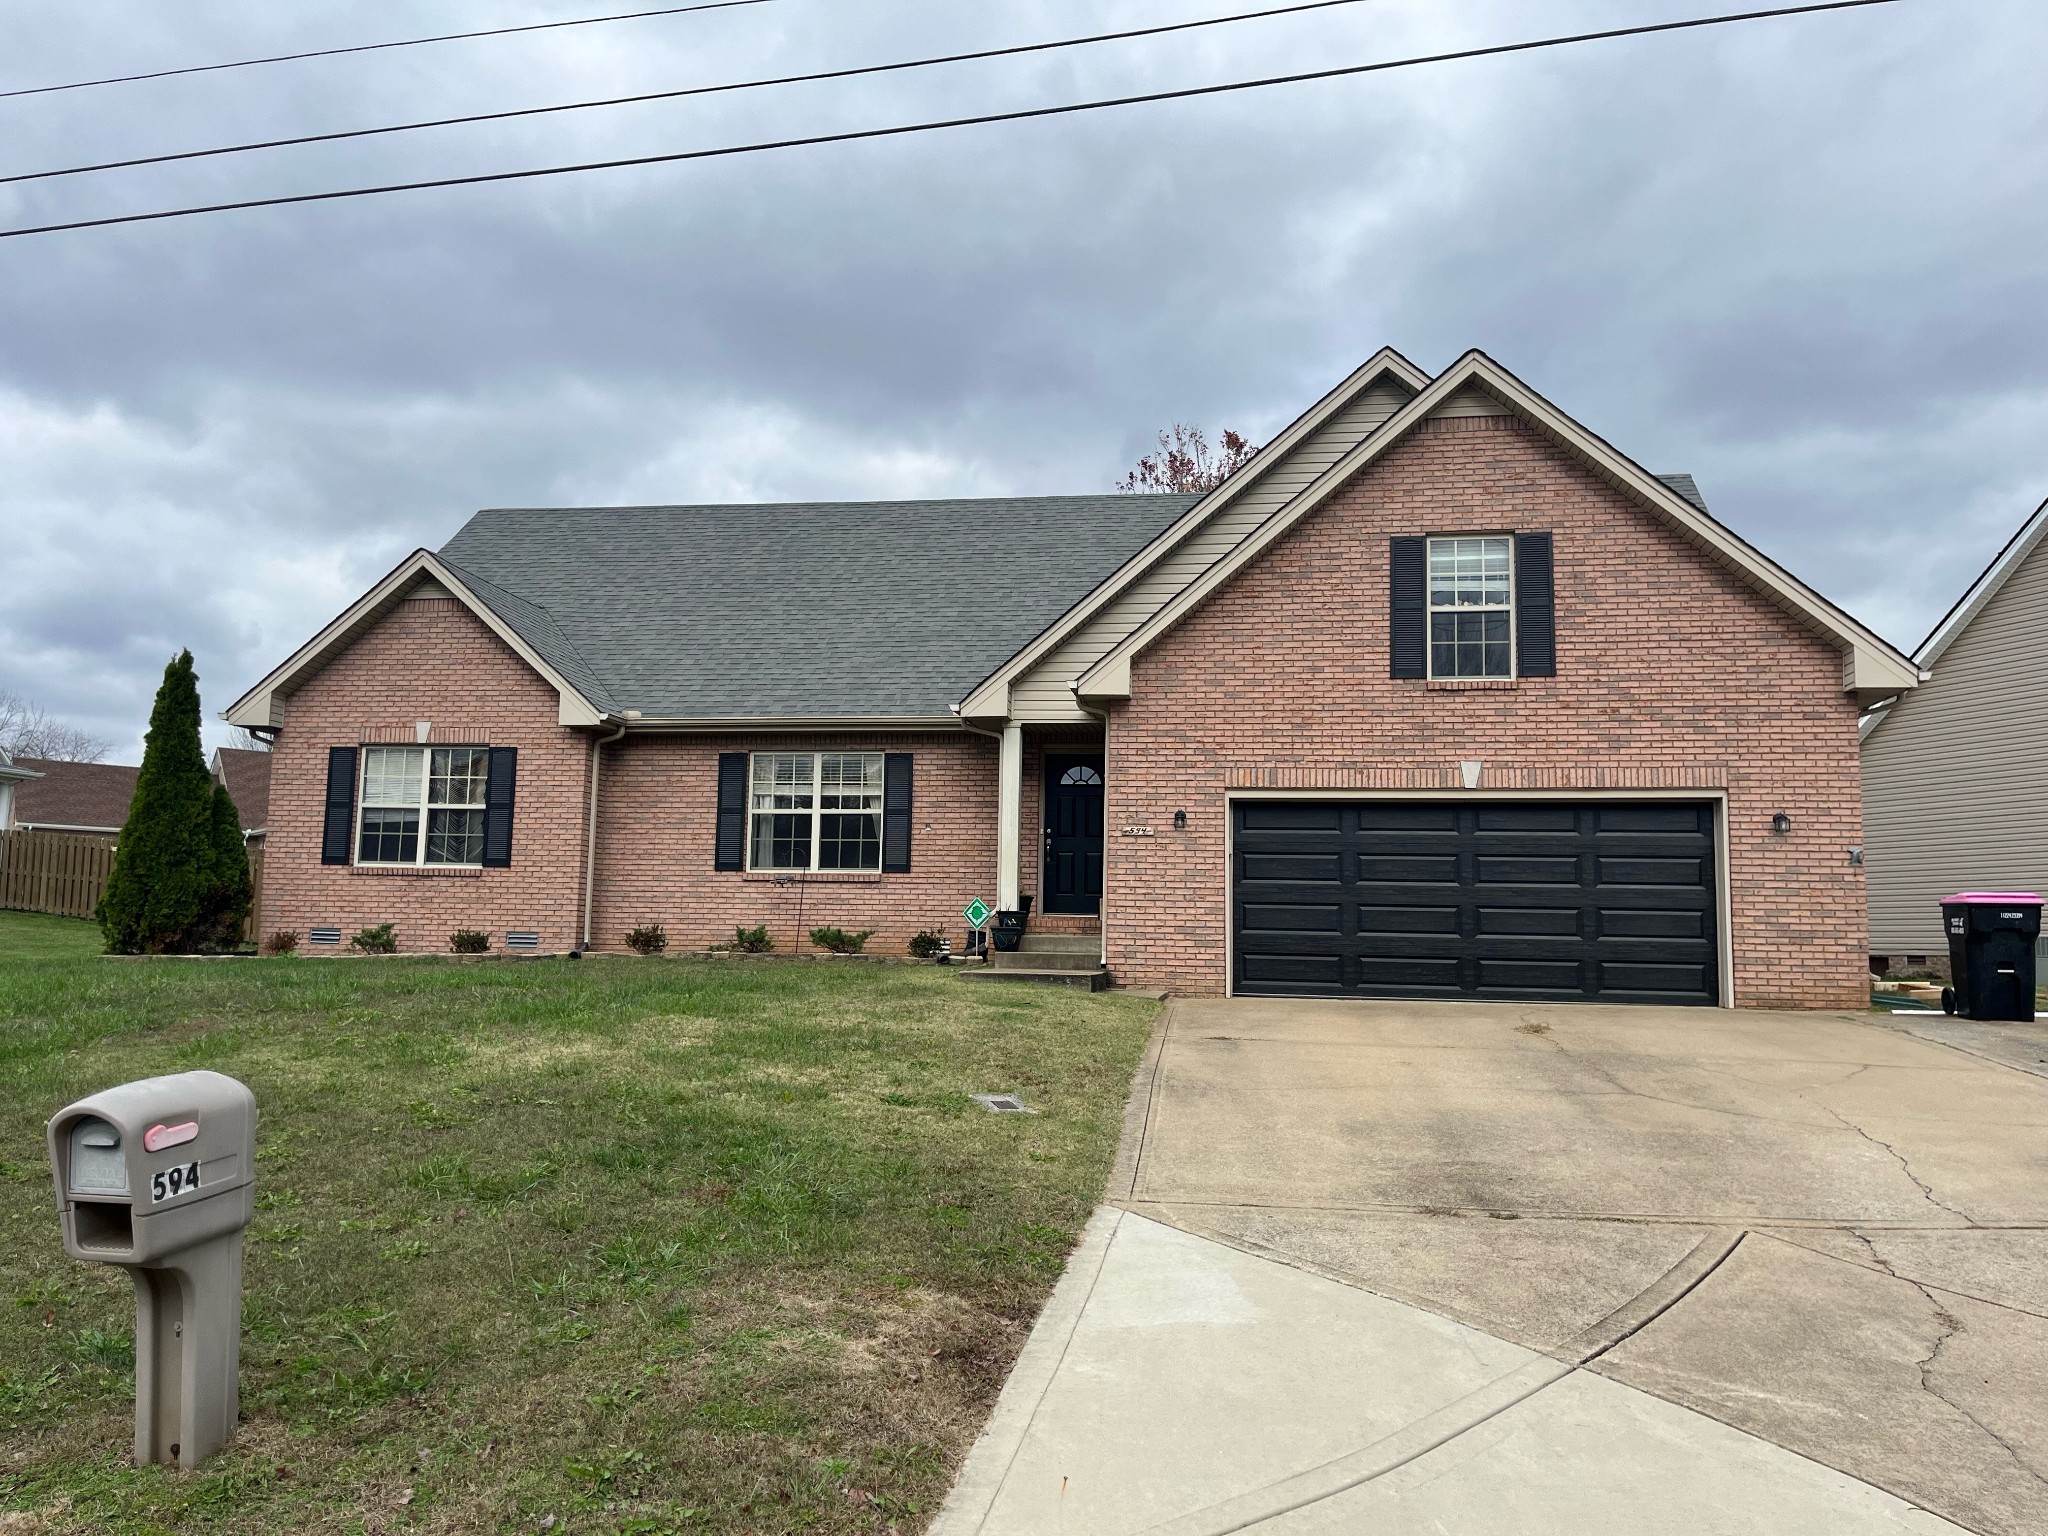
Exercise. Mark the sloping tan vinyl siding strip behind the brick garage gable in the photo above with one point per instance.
(1046, 693)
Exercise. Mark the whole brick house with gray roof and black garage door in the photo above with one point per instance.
(1439, 697)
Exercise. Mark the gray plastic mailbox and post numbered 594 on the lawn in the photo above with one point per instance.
(159, 1177)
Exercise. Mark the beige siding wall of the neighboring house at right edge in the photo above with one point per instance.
(1957, 775)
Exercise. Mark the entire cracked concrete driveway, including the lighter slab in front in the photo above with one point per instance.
(1543, 1269)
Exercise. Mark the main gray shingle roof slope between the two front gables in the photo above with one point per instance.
(810, 609)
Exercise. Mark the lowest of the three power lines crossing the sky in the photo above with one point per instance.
(900, 130)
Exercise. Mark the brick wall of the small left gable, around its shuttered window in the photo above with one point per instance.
(429, 660)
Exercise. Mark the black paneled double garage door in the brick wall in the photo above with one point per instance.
(1533, 902)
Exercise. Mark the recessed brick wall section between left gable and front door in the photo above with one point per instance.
(658, 800)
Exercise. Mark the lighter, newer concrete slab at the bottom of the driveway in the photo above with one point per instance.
(1181, 1388)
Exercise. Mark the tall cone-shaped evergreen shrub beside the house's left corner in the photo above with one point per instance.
(181, 878)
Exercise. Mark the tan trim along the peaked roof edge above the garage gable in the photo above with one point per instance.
(1873, 669)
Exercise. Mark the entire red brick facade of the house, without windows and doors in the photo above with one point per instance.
(1672, 677)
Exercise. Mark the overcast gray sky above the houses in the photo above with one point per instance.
(1801, 259)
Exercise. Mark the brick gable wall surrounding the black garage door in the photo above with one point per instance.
(1670, 675)
